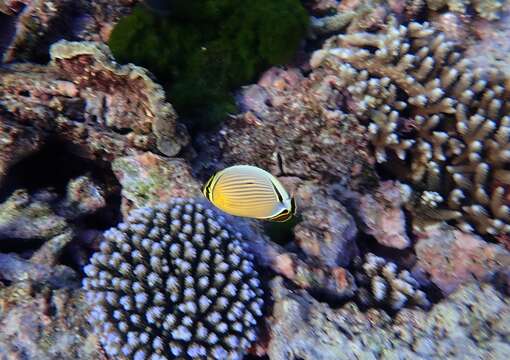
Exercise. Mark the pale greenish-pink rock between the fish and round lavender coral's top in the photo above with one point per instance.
(148, 179)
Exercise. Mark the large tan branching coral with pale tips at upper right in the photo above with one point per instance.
(448, 123)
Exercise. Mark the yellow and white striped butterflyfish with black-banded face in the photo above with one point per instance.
(248, 191)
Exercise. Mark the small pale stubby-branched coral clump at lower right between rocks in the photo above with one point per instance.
(381, 283)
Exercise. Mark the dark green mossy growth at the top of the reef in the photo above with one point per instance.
(204, 49)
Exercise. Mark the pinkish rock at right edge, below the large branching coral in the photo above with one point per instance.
(452, 257)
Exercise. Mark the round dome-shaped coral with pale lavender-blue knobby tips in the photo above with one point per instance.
(174, 282)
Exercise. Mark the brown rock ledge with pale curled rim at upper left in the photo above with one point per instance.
(84, 98)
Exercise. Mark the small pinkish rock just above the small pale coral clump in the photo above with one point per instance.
(383, 216)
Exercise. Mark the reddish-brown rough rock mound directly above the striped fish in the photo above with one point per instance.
(296, 134)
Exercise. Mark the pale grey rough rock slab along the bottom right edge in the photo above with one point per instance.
(473, 323)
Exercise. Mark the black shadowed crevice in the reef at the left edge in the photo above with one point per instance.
(52, 168)
